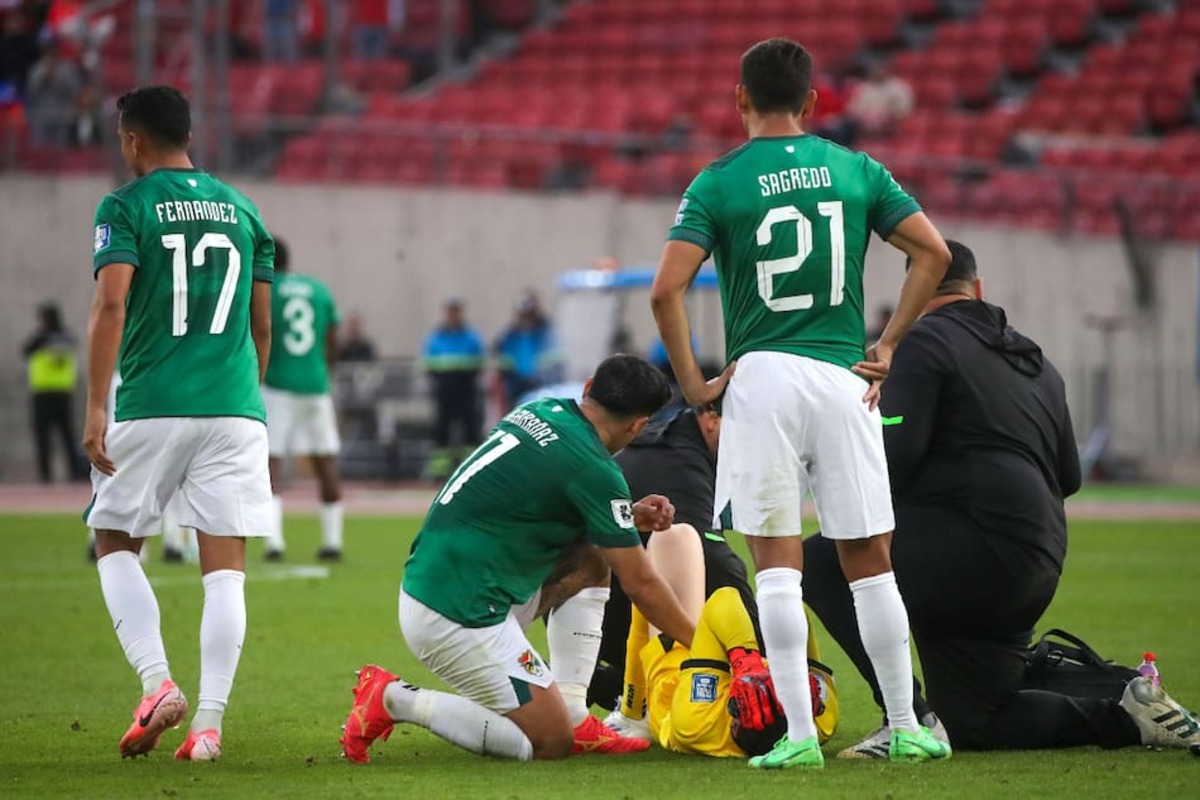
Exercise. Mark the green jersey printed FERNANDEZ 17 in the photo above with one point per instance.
(197, 248)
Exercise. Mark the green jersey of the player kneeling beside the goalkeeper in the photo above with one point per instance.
(542, 483)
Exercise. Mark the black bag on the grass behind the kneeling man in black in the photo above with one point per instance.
(1066, 665)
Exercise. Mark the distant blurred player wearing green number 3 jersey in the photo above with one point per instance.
(301, 419)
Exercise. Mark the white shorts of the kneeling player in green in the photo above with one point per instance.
(491, 666)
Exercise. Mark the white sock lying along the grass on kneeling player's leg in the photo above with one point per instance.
(459, 721)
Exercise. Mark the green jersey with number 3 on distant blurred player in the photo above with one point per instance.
(303, 311)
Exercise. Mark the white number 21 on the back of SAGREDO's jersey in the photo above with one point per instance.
(770, 269)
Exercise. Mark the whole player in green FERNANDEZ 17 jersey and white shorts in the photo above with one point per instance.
(183, 269)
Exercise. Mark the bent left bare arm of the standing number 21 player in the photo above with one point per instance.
(677, 269)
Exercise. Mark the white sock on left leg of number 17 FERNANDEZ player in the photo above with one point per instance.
(135, 611)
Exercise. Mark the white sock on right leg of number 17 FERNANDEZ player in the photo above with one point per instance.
(223, 631)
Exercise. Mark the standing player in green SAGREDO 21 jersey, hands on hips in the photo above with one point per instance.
(788, 218)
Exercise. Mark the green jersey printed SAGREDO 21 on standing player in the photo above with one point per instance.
(788, 221)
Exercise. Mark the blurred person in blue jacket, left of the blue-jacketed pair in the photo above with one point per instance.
(453, 357)
